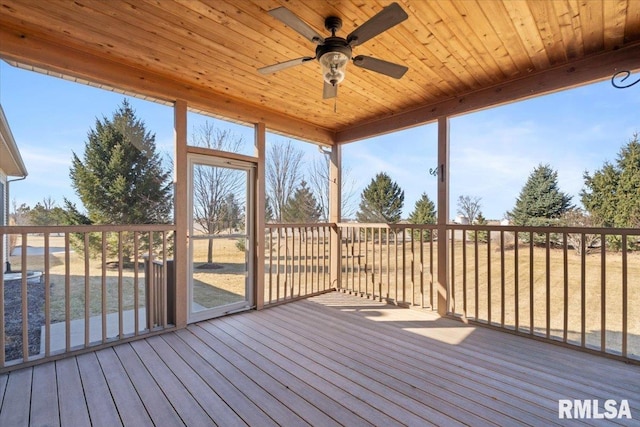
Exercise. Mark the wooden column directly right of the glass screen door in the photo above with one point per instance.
(260, 205)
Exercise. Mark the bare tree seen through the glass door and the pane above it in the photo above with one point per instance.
(214, 186)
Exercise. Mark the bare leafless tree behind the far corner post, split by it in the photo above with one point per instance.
(319, 183)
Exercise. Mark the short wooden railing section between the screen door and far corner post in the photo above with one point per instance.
(297, 261)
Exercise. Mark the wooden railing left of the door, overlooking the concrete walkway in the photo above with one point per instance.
(79, 287)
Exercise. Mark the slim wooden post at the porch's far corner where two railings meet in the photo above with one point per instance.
(335, 213)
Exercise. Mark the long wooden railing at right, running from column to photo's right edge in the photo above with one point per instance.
(577, 286)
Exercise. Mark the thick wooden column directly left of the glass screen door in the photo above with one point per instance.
(181, 250)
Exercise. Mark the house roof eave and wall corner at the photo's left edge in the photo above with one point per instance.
(11, 165)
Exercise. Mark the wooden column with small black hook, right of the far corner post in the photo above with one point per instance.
(443, 289)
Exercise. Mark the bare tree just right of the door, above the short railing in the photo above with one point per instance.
(283, 174)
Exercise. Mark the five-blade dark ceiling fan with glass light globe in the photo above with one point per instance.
(334, 52)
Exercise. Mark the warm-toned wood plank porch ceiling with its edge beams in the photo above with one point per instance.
(462, 55)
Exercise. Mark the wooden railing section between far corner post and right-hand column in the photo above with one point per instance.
(392, 262)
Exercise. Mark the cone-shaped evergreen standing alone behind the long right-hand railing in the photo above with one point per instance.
(540, 202)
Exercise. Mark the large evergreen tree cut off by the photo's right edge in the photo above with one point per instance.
(612, 194)
